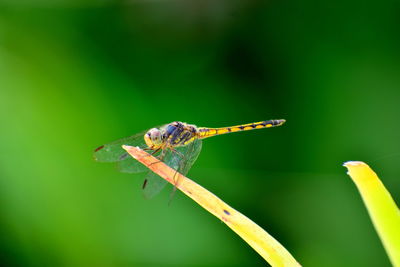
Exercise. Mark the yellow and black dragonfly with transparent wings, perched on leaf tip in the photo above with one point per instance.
(177, 144)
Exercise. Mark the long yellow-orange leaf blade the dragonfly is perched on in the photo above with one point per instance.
(269, 248)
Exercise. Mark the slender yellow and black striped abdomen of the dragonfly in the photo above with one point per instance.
(208, 132)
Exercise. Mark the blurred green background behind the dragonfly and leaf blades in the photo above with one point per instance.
(77, 74)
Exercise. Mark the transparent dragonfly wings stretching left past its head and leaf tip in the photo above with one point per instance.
(113, 152)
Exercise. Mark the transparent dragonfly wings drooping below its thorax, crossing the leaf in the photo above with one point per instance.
(182, 162)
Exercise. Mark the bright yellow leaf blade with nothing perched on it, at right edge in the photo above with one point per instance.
(381, 207)
